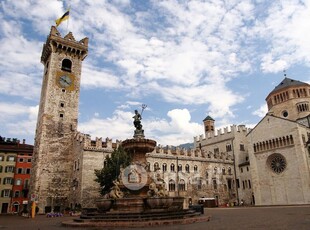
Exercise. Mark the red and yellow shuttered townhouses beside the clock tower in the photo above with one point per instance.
(15, 168)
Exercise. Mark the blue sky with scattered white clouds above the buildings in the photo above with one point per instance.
(184, 59)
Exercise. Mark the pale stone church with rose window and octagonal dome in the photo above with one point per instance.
(278, 149)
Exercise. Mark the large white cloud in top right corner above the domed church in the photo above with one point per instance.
(285, 31)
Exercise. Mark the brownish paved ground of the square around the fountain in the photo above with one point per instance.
(282, 217)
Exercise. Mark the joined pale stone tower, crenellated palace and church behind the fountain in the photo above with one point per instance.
(264, 166)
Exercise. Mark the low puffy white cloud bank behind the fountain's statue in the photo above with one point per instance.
(178, 130)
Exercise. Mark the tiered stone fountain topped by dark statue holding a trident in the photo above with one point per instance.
(139, 196)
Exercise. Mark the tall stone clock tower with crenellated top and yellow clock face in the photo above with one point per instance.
(57, 120)
